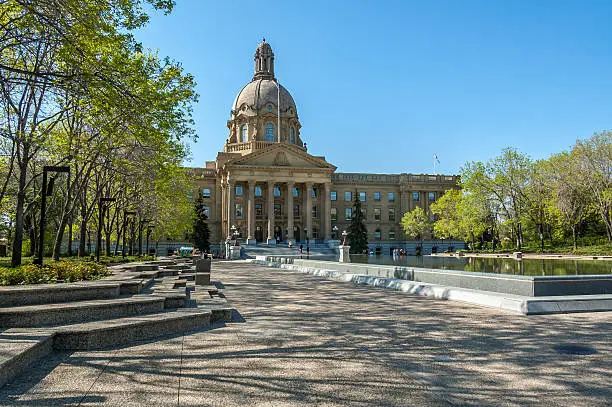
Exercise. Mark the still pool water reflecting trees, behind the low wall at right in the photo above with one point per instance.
(526, 267)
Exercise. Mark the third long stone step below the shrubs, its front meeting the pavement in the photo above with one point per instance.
(123, 331)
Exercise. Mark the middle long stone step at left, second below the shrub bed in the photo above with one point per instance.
(80, 311)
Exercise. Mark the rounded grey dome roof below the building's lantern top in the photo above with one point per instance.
(261, 92)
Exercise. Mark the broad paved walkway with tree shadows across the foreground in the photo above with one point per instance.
(306, 341)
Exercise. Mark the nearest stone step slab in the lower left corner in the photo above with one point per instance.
(20, 349)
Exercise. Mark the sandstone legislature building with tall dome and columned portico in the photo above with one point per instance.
(265, 186)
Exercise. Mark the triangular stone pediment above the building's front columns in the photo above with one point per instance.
(282, 156)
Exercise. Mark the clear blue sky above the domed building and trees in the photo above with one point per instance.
(382, 85)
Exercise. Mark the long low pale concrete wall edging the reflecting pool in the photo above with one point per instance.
(530, 286)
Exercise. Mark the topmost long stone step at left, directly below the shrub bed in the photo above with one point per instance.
(54, 293)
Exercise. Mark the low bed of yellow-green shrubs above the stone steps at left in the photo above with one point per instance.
(62, 271)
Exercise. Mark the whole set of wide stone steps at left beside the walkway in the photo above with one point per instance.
(139, 302)
